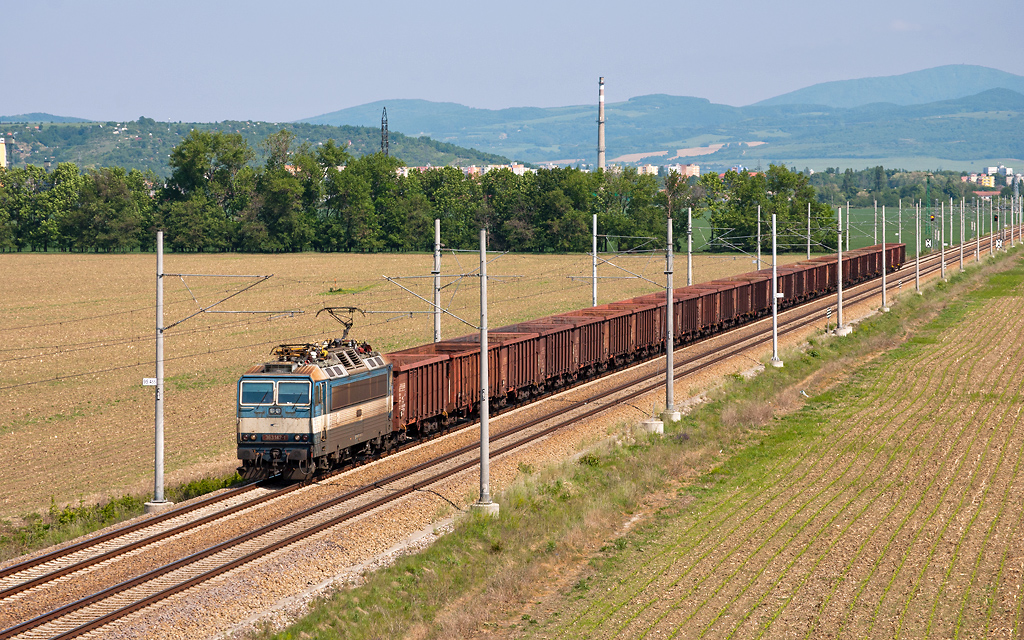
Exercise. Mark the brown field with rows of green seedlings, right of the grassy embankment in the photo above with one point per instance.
(887, 508)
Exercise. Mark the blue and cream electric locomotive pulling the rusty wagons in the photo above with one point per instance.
(316, 406)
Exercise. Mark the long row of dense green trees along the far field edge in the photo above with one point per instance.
(224, 195)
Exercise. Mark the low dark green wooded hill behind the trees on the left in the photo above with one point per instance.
(147, 144)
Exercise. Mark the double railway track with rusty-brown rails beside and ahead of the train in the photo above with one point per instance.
(92, 613)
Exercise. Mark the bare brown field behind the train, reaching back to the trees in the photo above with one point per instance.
(78, 338)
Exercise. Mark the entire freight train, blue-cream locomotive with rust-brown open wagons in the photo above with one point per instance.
(319, 406)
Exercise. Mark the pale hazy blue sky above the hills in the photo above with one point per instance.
(279, 62)
